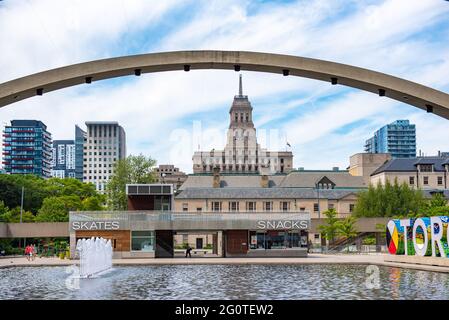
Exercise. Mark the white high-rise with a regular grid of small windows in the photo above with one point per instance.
(105, 143)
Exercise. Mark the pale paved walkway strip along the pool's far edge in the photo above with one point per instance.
(314, 258)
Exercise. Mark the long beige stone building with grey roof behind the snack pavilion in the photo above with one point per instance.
(312, 191)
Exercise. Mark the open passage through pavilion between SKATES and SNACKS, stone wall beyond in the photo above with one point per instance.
(204, 244)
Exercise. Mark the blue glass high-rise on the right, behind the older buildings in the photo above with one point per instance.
(397, 138)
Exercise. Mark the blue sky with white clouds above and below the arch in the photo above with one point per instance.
(170, 115)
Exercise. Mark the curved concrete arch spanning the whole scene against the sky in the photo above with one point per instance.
(399, 89)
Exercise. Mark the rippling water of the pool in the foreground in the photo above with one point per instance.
(226, 282)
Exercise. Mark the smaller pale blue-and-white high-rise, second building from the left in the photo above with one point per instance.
(63, 159)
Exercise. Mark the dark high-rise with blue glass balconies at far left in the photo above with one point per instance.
(27, 148)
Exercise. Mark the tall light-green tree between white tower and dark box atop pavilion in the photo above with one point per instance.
(132, 169)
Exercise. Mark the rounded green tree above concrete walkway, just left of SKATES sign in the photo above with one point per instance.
(56, 209)
